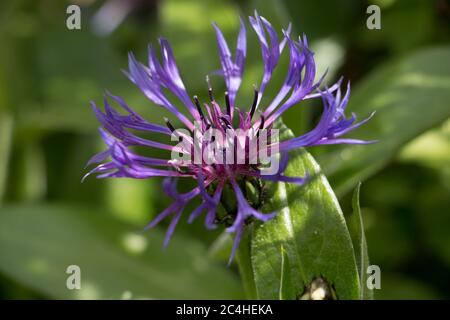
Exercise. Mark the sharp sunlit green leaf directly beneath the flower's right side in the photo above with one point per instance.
(311, 229)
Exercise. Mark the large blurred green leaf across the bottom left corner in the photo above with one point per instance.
(39, 242)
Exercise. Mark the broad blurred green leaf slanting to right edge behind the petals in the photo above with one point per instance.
(410, 96)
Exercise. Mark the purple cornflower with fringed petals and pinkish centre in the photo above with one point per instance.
(239, 129)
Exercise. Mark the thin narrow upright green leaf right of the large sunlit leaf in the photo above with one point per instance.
(356, 229)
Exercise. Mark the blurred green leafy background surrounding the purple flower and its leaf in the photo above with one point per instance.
(48, 74)
